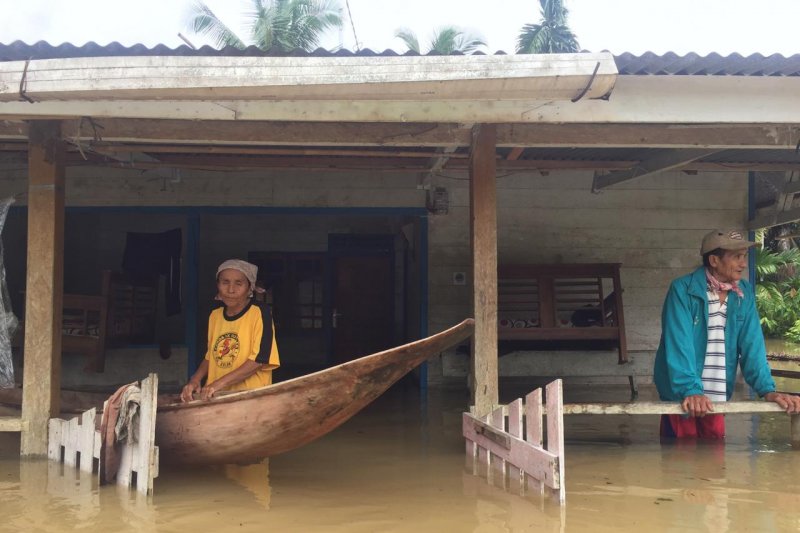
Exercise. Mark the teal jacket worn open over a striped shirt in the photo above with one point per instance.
(684, 331)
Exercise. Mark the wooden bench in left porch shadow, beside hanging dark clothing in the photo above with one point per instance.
(124, 313)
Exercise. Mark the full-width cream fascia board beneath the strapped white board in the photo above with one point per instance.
(635, 99)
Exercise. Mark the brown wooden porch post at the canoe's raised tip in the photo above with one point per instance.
(483, 226)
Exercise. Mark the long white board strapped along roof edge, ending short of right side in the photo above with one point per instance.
(418, 78)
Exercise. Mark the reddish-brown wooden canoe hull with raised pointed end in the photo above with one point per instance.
(251, 425)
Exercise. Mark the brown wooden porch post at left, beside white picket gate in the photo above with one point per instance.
(43, 293)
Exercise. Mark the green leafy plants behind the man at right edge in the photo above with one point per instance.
(778, 292)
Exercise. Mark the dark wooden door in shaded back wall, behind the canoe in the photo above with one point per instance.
(363, 306)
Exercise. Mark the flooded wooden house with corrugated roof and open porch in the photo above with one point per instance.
(383, 197)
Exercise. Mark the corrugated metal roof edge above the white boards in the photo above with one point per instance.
(628, 64)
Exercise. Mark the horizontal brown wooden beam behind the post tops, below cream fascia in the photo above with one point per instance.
(718, 136)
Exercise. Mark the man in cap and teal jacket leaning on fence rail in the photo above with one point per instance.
(709, 325)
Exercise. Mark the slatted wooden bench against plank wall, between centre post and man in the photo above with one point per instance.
(562, 302)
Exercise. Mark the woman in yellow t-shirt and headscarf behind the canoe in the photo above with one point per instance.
(242, 351)
